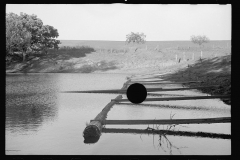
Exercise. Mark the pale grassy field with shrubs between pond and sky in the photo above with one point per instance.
(116, 56)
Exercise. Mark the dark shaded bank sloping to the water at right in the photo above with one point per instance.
(213, 71)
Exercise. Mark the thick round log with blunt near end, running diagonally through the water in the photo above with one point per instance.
(95, 127)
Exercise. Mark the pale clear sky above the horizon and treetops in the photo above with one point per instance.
(114, 21)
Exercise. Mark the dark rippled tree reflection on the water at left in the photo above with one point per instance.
(30, 102)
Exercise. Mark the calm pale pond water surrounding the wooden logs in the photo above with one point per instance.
(40, 120)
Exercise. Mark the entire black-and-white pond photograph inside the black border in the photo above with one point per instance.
(118, 79)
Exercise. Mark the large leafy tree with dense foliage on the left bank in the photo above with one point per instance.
(27, 33)
